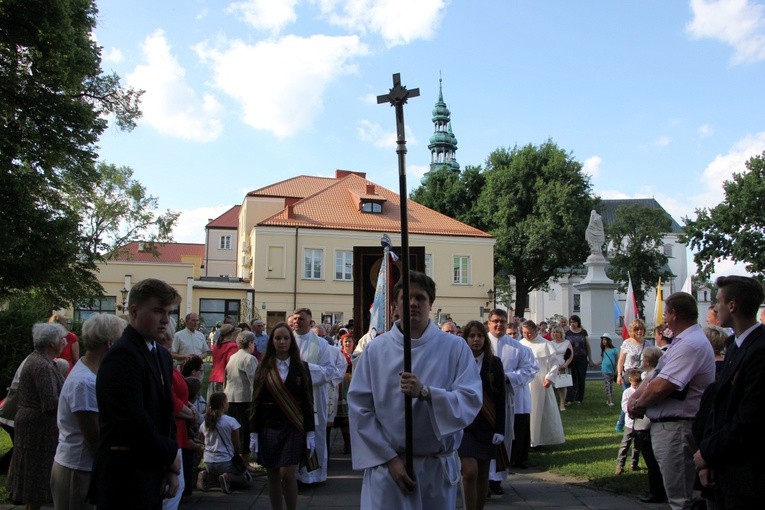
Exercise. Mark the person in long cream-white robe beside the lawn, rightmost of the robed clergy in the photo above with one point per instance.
(546, 425)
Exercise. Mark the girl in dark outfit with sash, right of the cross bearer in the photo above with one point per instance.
(483, 439)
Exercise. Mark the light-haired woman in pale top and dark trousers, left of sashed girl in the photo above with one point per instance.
(240, 376)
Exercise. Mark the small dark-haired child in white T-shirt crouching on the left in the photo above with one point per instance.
(220, 434)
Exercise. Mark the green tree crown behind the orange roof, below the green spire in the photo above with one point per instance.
(454, 194)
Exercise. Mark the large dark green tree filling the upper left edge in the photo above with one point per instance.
(54, 101)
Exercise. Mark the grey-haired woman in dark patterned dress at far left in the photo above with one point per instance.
(36, 433)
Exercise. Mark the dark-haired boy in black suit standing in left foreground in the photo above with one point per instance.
(136, 463)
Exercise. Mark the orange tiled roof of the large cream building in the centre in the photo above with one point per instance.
(336, 206)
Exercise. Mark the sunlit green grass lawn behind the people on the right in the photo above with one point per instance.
(589, 453)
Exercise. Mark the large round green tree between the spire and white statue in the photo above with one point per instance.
(536, 202)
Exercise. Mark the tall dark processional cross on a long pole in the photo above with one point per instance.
(397, 97)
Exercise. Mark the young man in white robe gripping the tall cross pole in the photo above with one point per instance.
(447, 395)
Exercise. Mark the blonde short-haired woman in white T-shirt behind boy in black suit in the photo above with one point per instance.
(78, 415)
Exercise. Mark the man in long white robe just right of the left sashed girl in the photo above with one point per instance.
(315, 352)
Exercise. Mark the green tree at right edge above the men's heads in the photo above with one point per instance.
(735, 228)
